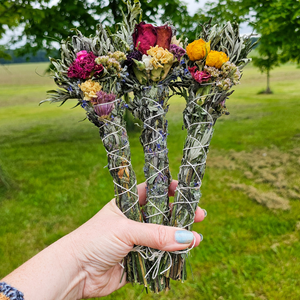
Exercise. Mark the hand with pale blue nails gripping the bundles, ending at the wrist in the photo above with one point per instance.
(103, 241)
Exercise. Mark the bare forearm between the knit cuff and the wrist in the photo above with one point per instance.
(51, 274)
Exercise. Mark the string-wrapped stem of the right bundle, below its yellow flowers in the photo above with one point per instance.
(200, 116)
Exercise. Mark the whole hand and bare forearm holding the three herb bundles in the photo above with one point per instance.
(85, 263)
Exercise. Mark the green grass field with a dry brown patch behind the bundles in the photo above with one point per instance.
(52, 179)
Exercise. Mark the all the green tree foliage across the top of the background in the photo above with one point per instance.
(276, 21)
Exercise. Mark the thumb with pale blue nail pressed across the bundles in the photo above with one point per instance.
(160, 237)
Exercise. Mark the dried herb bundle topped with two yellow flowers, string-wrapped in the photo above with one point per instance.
(214, 62)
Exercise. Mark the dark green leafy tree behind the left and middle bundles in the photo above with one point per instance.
(42, 24)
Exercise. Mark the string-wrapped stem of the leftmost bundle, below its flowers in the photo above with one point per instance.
(113, 133)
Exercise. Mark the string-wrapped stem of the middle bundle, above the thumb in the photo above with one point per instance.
(150, 106)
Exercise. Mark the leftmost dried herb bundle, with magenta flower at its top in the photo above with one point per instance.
(91, 70)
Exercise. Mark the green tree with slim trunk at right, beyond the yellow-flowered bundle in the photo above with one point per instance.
(277, 21)
